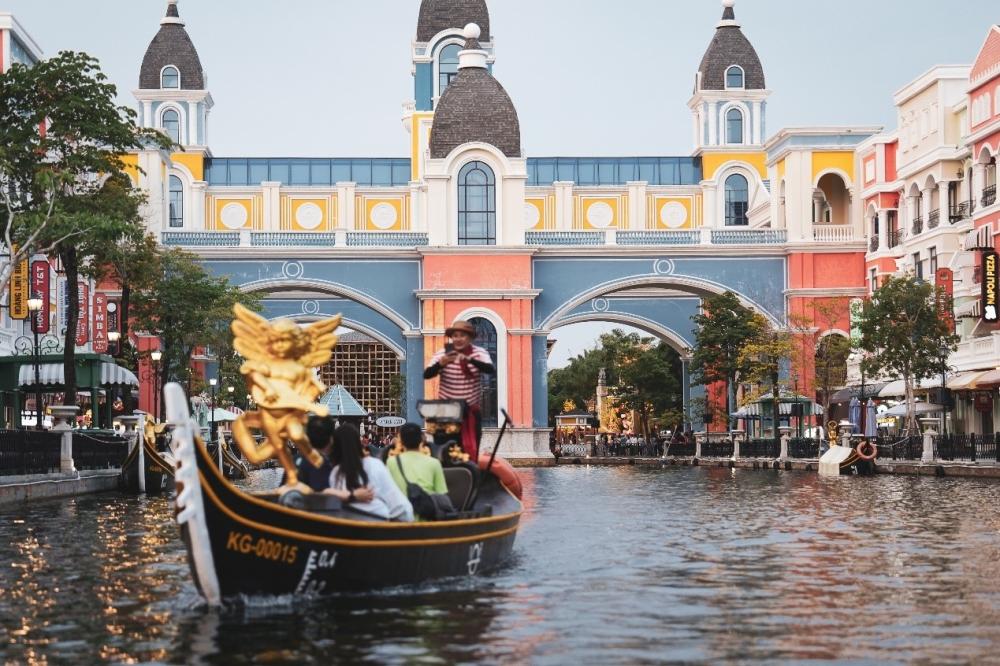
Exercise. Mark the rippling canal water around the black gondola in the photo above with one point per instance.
(612, 565)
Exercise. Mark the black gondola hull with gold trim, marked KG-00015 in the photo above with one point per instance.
(245, 544)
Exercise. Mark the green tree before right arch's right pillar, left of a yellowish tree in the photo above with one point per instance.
(725, 326)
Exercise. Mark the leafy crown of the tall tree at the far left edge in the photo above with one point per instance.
(61, 138)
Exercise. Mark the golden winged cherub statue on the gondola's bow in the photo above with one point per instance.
(280, 358)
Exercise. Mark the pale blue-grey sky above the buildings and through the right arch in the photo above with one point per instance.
(588, 77)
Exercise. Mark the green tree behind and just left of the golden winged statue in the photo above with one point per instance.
(188, 309)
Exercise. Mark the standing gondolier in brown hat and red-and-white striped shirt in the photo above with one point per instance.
(461, 365)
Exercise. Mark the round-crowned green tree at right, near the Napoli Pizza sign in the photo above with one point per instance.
(903, 335)
